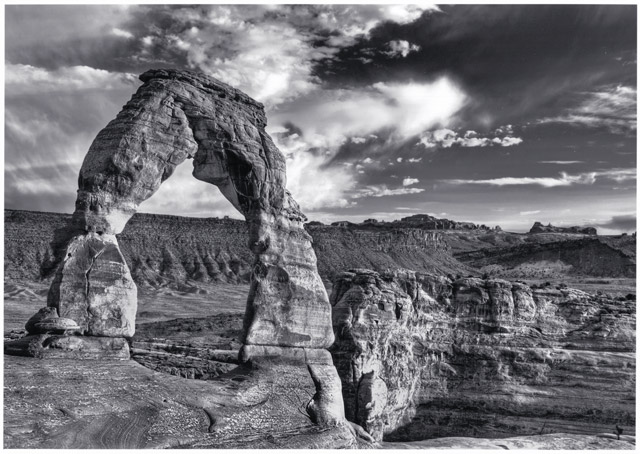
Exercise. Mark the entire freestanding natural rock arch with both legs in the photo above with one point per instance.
(176, 115)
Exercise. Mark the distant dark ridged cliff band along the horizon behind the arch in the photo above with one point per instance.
(180, 252)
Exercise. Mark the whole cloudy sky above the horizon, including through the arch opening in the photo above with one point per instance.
(491, 114)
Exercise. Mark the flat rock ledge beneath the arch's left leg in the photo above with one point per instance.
(48, 346)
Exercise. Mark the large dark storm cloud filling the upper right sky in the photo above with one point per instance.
(517, 62)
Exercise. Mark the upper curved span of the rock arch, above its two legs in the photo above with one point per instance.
(176, 115)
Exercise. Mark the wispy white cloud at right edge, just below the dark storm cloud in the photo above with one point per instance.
(613, 107)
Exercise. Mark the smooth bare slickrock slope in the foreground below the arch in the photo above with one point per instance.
(70, 404)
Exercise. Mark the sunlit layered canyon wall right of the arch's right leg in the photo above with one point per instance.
(423, 356)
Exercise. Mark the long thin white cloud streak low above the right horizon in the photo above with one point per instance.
(564, 179)
